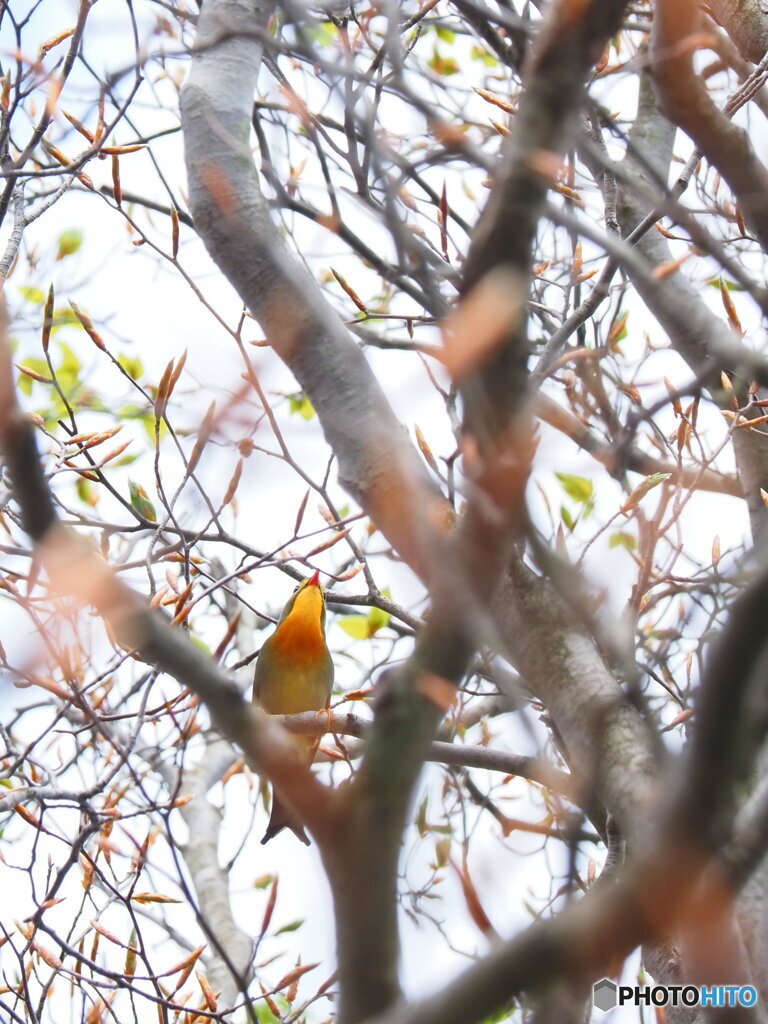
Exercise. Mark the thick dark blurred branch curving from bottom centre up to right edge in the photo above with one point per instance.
(682, 876)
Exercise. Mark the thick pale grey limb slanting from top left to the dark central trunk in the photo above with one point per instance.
(377, 463)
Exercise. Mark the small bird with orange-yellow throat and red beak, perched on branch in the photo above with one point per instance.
(295, 673)
